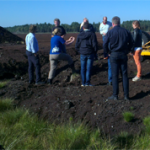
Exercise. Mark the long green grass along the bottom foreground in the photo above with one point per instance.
(21, 129)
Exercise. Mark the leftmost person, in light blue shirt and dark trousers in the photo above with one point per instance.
(32, 54)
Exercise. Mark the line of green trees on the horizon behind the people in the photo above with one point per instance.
(74, 27)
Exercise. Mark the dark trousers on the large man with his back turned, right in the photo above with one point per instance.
(119, 62)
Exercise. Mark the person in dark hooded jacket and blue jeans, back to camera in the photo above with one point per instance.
(86, 45)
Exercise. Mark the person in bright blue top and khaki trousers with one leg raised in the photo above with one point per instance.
(56, 53)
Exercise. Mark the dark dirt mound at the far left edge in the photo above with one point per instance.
(8, 37)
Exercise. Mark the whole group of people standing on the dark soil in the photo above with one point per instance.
(117, 43)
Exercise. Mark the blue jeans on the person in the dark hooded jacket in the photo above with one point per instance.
(86, 67)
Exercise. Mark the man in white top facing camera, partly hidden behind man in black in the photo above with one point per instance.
(104, 28)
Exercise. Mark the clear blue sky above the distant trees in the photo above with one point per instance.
(20, 12)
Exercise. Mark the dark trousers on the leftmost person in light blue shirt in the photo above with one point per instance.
(33, 62)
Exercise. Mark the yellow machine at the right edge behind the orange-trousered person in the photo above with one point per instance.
(145, 45)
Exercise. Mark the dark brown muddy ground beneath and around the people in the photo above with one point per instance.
(66, 101)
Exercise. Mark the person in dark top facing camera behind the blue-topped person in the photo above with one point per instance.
(62, 31)
